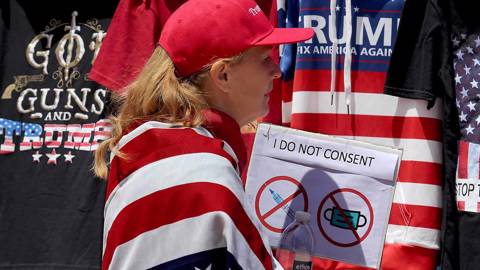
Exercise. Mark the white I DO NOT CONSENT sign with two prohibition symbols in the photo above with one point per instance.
(347, 186)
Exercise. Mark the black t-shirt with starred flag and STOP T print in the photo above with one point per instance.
(437, 55)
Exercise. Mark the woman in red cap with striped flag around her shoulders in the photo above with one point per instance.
(174, 196)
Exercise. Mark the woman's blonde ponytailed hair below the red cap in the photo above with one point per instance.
(157, 94)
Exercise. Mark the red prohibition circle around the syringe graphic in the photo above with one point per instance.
(261, 217)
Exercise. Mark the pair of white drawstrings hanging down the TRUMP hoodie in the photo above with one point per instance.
(347, 64)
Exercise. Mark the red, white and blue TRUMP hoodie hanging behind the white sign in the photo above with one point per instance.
(412, 239)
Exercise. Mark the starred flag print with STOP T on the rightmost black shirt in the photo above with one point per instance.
(466, 64)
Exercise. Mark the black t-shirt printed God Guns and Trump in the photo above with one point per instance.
(51, 120)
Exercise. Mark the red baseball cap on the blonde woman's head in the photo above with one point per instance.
(201, 31)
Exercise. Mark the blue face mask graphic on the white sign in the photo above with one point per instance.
(341, 218)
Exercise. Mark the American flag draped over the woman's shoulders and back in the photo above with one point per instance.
(176, 202)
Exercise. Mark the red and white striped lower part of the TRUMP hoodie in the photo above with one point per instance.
(415, 219)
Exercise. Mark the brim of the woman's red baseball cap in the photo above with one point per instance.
(286, 35)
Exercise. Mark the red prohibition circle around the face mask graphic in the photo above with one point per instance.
(319, 215)
